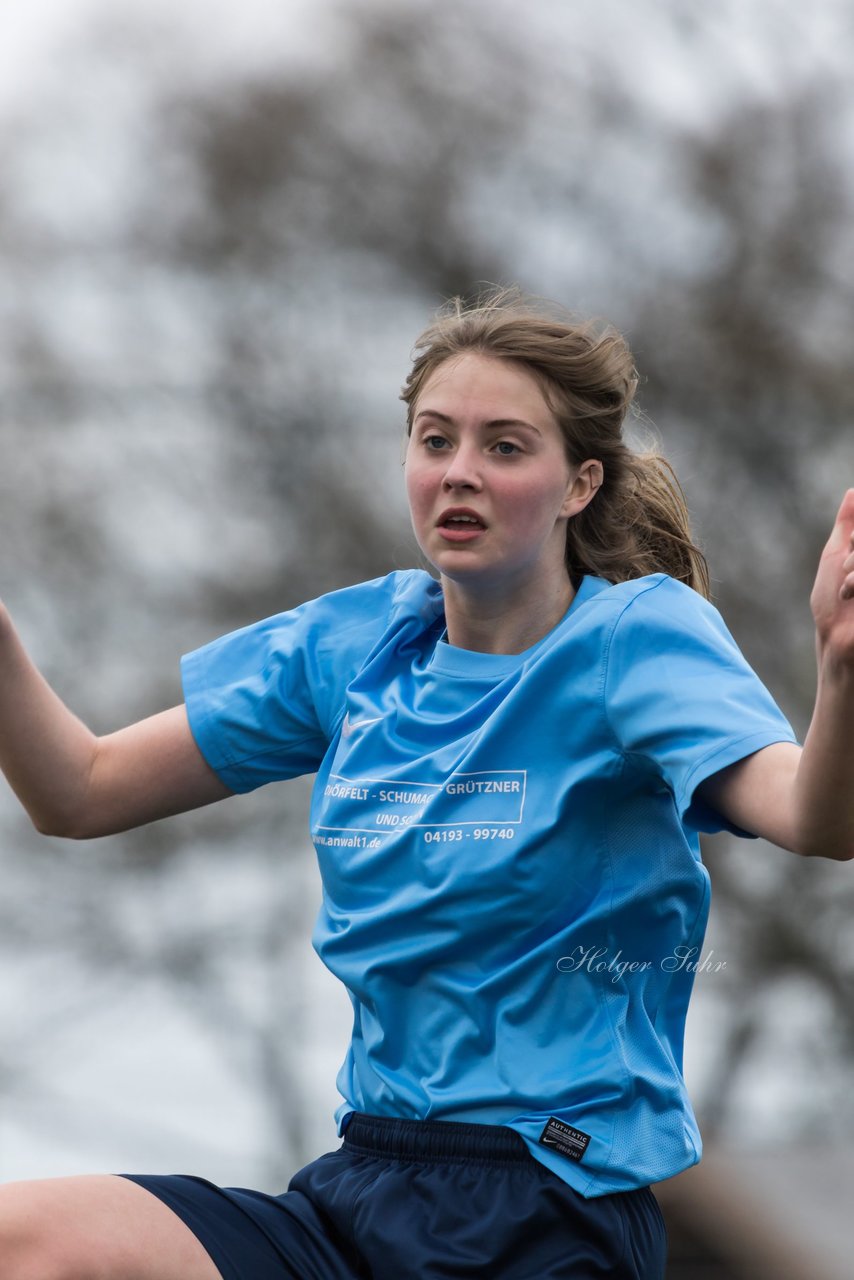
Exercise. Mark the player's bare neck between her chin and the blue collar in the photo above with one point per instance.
(495, 623)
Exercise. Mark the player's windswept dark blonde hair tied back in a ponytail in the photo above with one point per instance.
(638, 522)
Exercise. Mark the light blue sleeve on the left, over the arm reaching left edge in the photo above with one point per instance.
(266, 701)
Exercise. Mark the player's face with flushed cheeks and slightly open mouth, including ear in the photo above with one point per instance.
(487, 477)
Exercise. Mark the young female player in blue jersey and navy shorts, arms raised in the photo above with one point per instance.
(515, 758)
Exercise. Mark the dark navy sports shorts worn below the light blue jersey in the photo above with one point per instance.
(409, 1200)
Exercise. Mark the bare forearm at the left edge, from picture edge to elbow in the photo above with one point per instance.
(47, 753)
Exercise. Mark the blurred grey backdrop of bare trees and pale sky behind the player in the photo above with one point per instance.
(222, 227)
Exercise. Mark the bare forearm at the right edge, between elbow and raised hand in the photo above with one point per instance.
(824, 787)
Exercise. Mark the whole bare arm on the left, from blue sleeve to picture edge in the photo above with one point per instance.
(79, 785)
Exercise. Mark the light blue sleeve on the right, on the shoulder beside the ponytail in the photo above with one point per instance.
(682, 700)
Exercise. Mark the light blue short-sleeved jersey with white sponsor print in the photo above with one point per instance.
(513, 889)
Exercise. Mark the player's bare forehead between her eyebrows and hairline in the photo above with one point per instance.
(485, 387)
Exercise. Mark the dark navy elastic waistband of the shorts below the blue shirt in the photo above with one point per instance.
(433, 1140)
